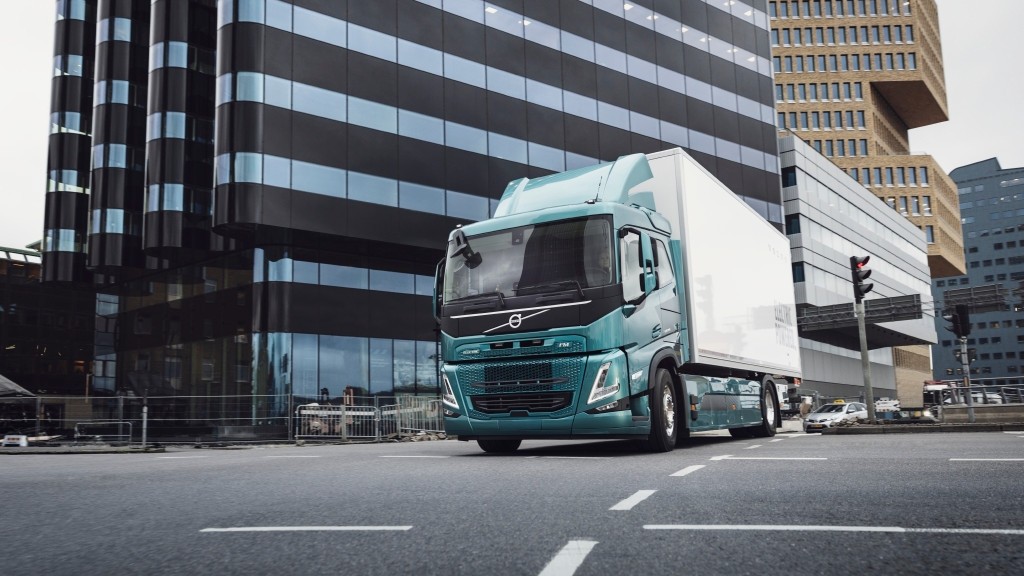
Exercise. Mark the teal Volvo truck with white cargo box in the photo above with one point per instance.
(634, 300)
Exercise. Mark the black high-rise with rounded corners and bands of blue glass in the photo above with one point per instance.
(261, 190)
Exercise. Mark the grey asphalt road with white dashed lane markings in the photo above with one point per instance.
(940, 504)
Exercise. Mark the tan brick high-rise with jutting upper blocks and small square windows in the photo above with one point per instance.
(852, 78)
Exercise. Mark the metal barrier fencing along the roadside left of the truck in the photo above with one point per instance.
(218, 419)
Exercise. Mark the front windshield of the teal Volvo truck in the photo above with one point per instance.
(549, 258)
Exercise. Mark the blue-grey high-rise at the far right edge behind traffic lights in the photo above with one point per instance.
(992, 202)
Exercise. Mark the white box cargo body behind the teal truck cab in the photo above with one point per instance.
(737, 272)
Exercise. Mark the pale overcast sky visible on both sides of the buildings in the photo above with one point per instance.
(982, 46)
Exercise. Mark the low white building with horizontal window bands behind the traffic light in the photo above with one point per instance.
(830, 218)
